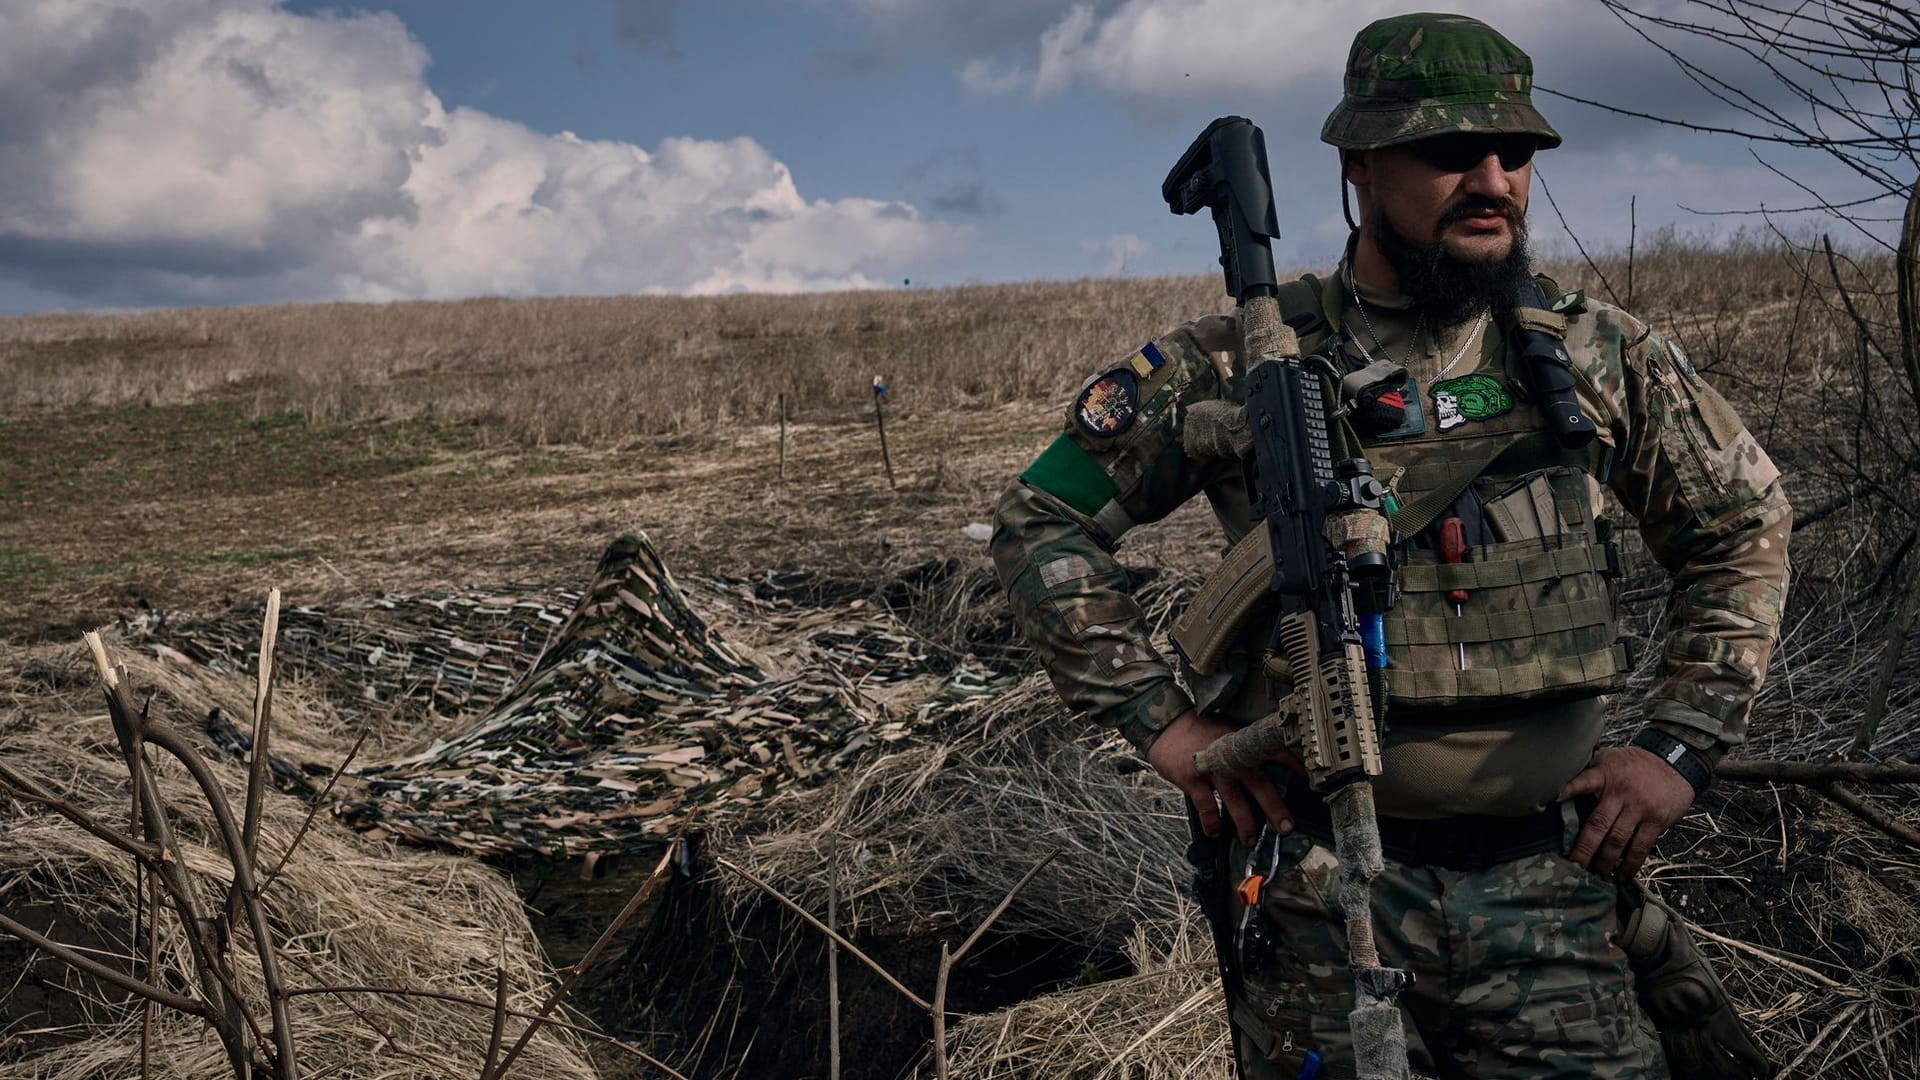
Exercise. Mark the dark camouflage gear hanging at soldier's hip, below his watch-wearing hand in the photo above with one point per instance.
(1700, 1029)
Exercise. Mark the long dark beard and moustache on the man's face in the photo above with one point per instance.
(1445, 287)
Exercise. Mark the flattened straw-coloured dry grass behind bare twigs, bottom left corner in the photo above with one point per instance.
(347, 912)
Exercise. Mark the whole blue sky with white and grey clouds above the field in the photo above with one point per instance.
(252, 151)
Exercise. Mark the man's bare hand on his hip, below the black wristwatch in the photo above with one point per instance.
(1641, 797)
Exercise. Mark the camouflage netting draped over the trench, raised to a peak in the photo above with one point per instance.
(635, 718)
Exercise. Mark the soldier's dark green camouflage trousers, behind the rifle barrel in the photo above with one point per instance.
(1518, 973)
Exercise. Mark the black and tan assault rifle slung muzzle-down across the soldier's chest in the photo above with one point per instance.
(1330, 720)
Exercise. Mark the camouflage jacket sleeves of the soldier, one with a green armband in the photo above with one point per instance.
(1706, 497)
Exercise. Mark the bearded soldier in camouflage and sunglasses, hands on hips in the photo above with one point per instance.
(1512, 841)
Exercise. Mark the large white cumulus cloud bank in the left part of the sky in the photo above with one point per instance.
(216, 151)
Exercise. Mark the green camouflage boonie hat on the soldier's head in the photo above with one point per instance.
(1431, 74)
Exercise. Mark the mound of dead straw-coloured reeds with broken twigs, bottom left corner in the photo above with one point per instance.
(356, 960)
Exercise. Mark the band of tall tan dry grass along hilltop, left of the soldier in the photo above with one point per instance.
(606, 370)
